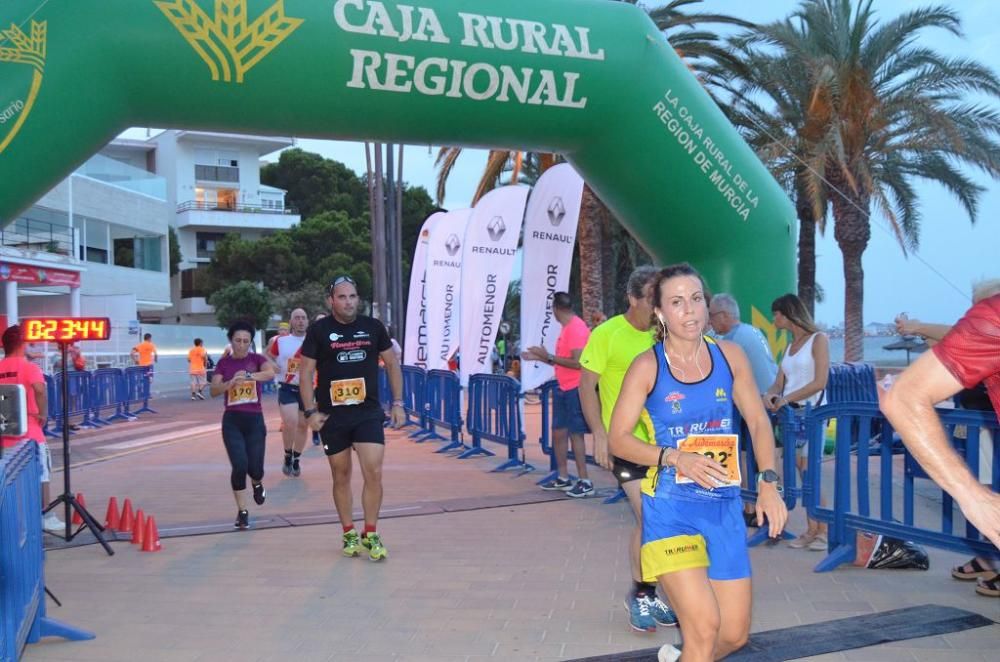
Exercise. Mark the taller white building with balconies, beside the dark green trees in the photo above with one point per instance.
(213, 183)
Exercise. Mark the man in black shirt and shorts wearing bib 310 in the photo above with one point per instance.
(344, 350)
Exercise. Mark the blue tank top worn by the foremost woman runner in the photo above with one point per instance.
(676, 409)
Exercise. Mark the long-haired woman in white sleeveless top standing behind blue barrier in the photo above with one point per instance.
(801, 381)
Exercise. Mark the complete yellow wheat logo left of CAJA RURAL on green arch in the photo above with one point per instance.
(228, 44)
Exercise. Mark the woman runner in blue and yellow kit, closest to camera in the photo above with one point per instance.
(694, 536)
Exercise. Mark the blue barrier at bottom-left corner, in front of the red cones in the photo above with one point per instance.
(22, 571)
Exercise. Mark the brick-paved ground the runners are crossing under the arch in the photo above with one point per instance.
(534, 581)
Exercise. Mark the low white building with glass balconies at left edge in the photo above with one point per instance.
(99, 234)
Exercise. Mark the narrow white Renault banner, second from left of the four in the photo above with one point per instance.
(443, 286)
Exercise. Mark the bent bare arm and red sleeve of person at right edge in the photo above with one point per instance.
(967, 355)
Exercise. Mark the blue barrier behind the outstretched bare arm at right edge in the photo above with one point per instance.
(852, 500)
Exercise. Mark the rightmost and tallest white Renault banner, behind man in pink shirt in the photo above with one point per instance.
(549, 237)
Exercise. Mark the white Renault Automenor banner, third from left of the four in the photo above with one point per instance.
(487, 261)
